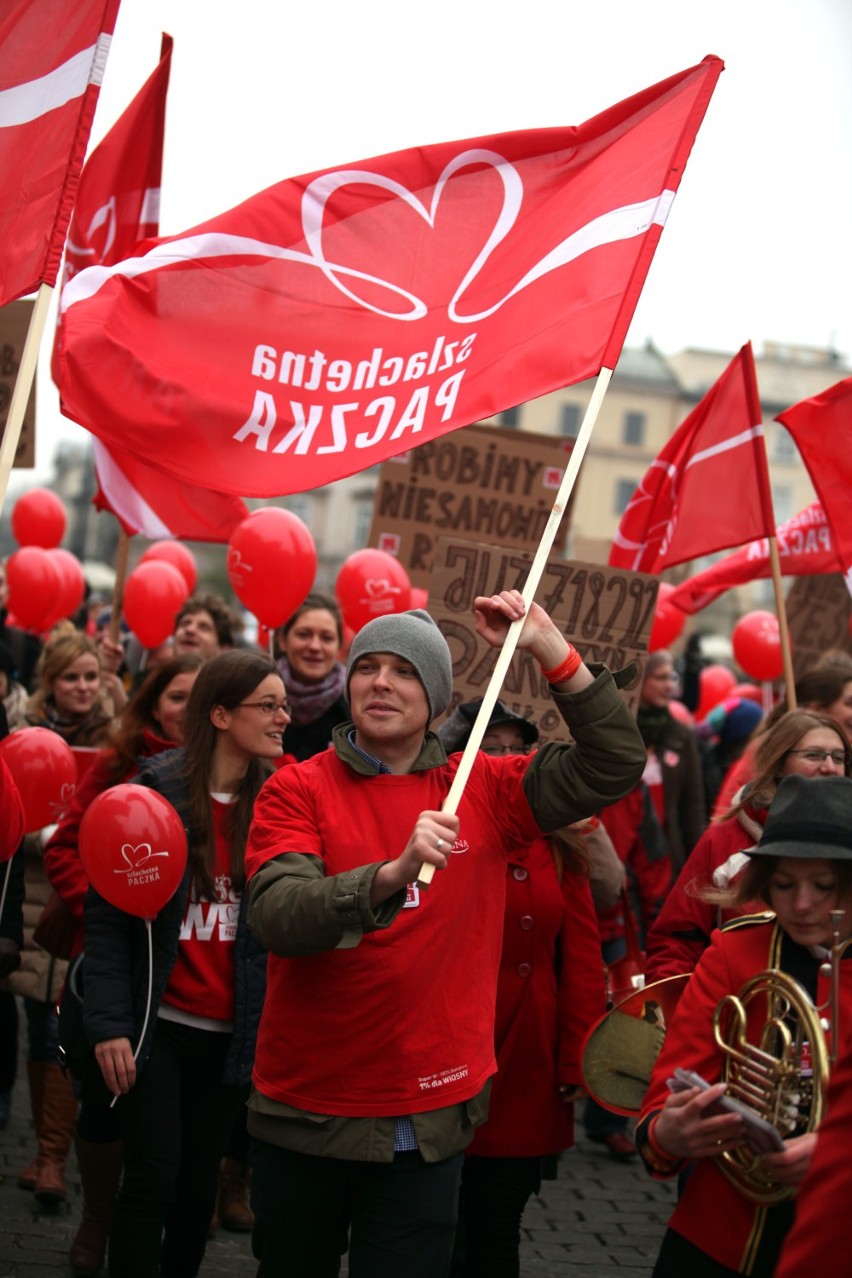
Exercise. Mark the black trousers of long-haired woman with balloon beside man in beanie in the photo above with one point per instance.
(176, 1124)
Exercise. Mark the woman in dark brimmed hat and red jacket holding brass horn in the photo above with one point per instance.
(803, 871)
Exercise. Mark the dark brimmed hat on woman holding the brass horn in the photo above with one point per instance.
(810, 817)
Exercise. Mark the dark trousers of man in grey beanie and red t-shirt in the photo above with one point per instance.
(399, 1217)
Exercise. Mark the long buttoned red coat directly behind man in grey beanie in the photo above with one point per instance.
(550, 991)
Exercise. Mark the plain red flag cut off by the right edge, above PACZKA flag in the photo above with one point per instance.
(822, 429)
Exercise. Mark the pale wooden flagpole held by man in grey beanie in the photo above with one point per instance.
(528, 594)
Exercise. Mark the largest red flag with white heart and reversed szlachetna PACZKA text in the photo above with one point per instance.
(338, 319)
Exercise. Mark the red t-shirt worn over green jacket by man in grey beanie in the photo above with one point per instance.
(404, 1022)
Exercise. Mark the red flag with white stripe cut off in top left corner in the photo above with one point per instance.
(54, 54)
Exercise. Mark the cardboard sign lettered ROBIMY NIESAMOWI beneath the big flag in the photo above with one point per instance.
(486, 484)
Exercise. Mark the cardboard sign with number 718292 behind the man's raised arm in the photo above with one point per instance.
(606, 613)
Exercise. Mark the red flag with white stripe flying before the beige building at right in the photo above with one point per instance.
(710, 488)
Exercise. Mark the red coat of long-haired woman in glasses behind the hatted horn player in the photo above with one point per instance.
(683, 928)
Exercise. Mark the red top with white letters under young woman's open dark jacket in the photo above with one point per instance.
(202, 980)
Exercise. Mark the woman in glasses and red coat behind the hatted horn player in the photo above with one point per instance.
(802, 743)
